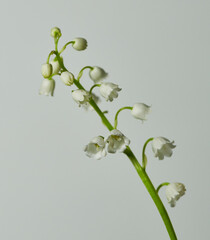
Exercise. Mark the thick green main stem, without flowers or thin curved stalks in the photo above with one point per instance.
(141, 172)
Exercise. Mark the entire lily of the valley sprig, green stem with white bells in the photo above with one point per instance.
(115, 142)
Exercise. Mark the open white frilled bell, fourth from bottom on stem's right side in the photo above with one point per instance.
(109, 91)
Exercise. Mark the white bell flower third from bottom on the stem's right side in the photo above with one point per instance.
(140, 111)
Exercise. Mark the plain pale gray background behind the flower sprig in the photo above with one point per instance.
(158, 52)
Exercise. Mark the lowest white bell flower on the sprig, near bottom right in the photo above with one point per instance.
(173, 192)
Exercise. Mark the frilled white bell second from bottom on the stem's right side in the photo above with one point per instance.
(162, 147)
